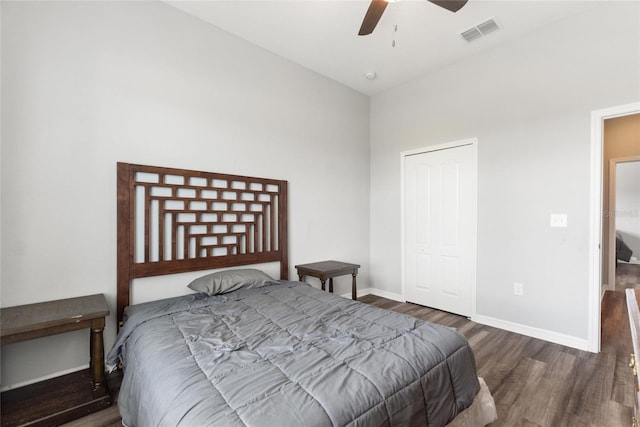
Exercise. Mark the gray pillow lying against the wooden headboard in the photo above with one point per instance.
(230, 280)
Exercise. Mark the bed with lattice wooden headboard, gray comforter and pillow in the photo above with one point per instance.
(247, 349)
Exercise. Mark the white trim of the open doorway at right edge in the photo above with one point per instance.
(595, 218)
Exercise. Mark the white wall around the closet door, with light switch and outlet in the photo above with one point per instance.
(529, 103)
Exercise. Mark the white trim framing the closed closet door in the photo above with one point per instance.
(473, 142)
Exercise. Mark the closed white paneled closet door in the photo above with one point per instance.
(440, 231)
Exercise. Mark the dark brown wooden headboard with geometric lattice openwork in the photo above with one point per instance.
(175, 220)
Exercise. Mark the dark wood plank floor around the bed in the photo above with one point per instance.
(533, 382)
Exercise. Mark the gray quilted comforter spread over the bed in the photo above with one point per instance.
(287, 354)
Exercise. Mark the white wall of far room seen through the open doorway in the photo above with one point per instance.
(628, 204)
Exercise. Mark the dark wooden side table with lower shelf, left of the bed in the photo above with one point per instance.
(69, 396)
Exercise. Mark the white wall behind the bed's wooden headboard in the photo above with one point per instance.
(87, 84)
